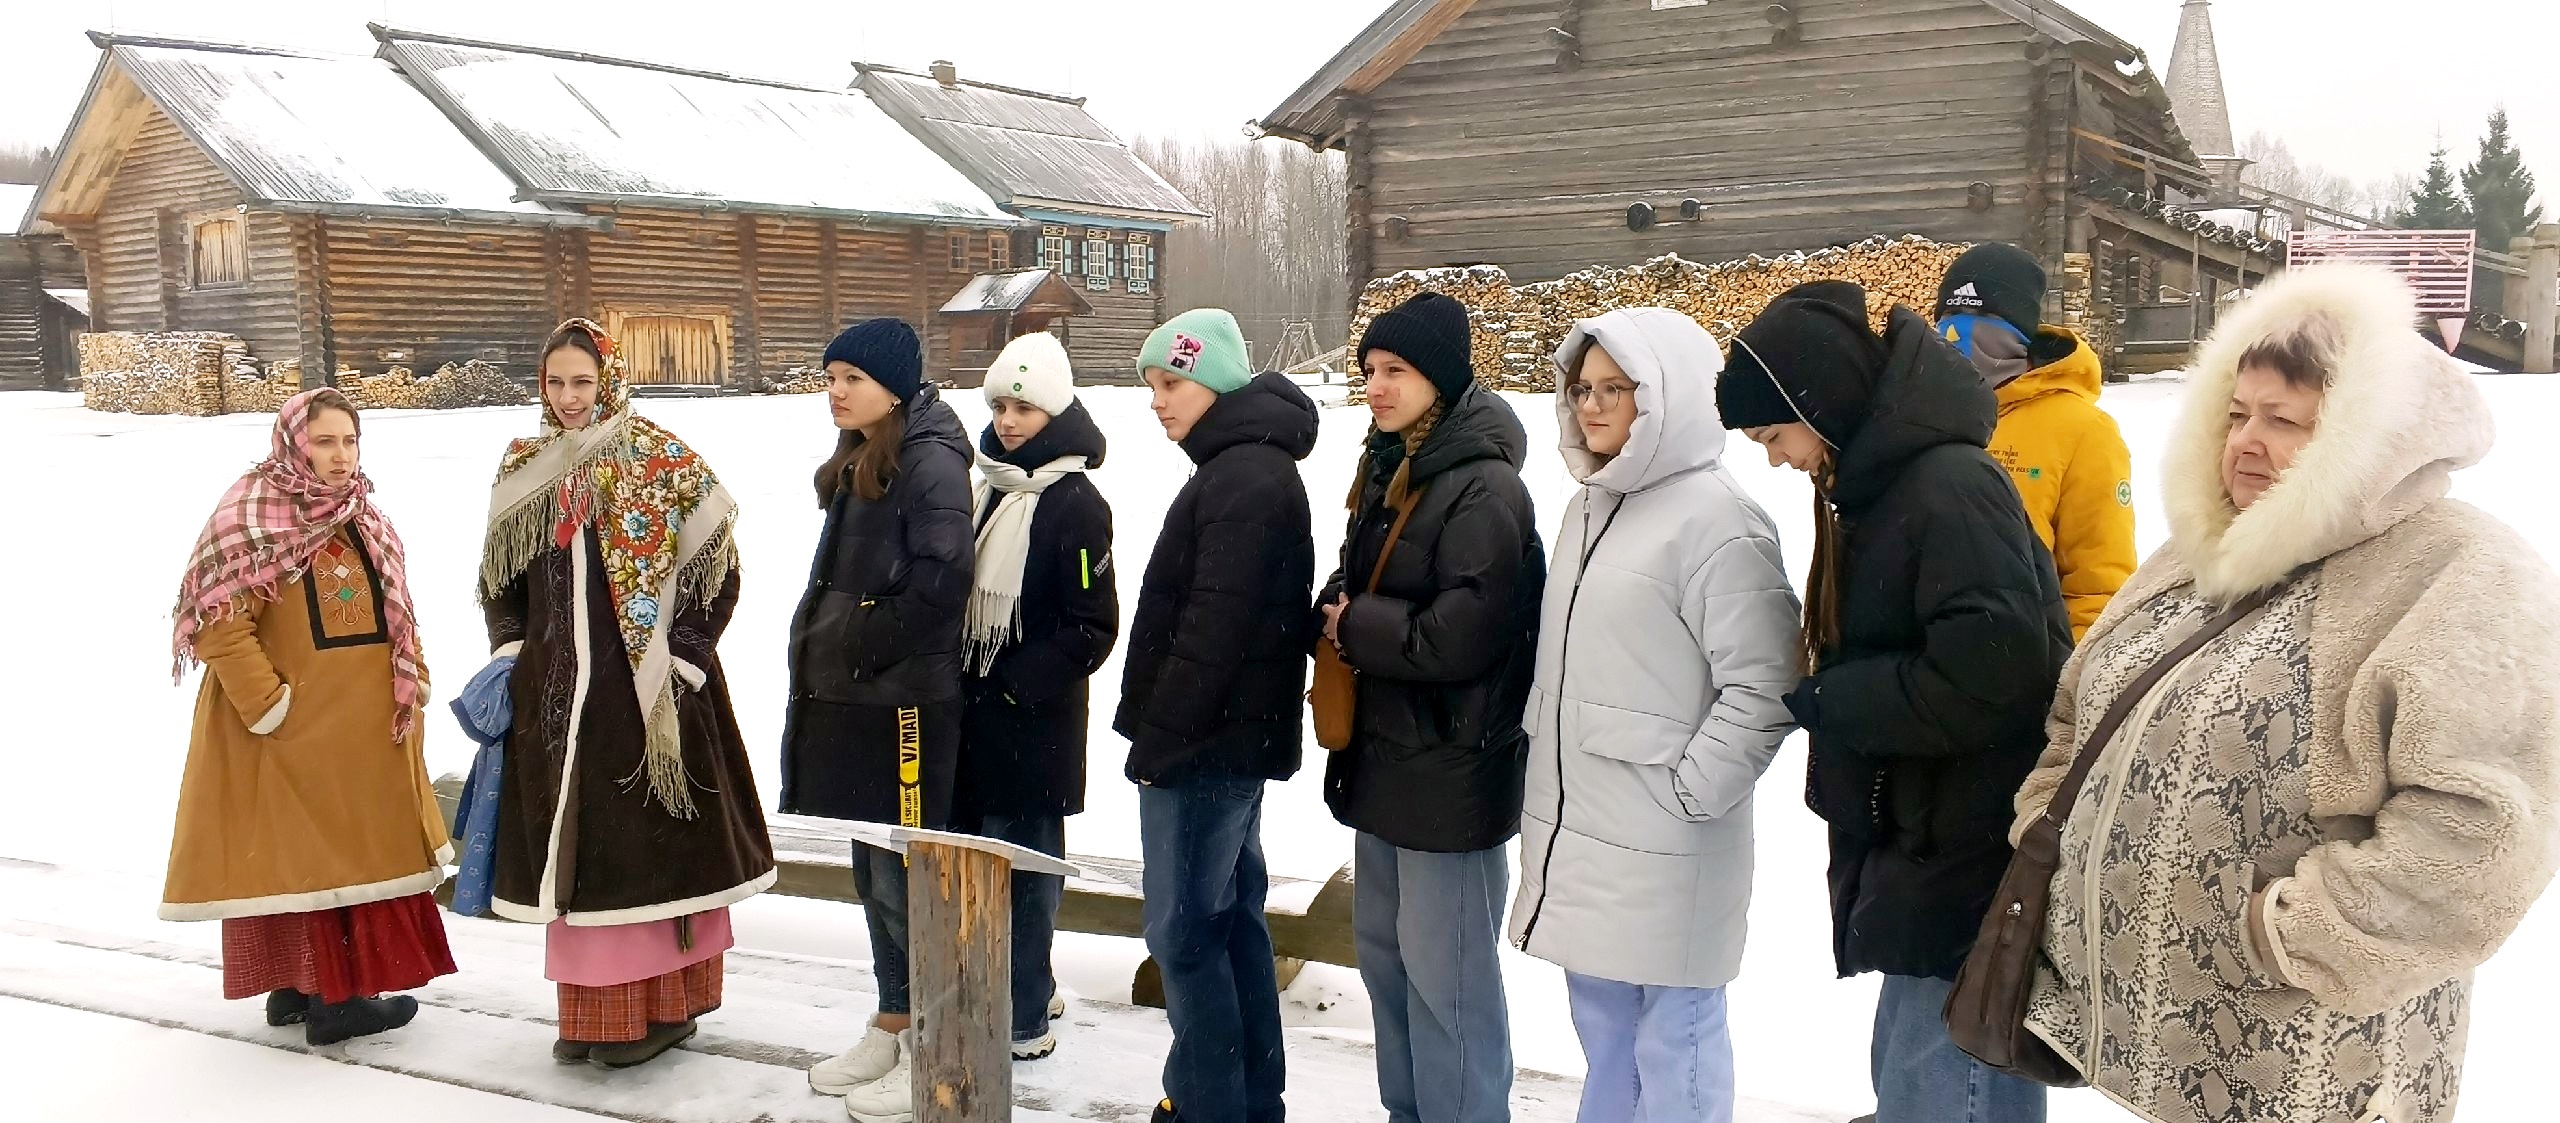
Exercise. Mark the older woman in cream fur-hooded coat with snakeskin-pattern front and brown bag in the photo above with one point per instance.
(2292, 853)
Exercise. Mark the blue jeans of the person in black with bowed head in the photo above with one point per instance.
(1924, 1078)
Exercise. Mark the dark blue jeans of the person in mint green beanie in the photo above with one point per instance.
(1204, 927)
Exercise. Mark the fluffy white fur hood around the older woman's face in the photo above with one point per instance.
(2395, 423)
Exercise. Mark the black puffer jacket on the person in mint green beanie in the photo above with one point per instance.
(1220, 641)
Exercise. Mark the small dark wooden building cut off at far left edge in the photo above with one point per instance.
(42, 301)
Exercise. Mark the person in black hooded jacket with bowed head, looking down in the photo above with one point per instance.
(1934, 636)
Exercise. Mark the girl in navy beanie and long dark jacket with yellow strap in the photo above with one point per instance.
(874, 728)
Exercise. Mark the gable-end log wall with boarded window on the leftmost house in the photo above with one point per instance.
(140, 252)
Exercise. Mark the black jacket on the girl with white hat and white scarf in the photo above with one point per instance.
(1025, 743)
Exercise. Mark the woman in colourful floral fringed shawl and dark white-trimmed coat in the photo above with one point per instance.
(628, 815)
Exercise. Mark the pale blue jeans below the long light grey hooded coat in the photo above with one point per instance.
(1658, 1055)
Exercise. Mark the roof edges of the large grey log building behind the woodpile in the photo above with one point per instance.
(1315, 114)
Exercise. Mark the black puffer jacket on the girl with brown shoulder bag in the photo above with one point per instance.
(1448, 643)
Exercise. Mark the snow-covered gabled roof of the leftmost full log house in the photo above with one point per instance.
(291, 132)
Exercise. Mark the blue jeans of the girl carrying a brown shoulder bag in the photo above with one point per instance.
(1427, 930)
